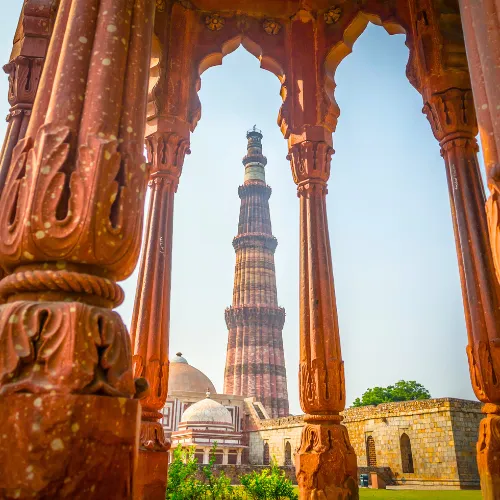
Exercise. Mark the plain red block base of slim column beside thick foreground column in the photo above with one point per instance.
(151, 477)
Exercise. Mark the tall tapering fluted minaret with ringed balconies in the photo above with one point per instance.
(255, 362)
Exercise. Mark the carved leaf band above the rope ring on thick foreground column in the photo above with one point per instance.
(54, 221)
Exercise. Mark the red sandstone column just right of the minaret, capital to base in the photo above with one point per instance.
(326, 463)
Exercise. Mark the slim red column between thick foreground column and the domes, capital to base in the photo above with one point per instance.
(150, 323)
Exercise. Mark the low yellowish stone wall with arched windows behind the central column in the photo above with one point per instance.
(442, 434)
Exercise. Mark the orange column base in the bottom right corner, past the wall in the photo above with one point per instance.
(488, 455)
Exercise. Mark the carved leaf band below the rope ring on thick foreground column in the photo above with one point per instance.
(70, 346)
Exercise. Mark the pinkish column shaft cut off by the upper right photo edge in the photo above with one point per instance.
(480, 20)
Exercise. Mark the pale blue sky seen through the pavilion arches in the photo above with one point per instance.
(396, 276)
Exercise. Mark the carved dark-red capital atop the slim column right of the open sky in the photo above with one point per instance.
(451, 114)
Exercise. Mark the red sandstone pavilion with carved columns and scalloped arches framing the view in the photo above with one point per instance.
(72, 206)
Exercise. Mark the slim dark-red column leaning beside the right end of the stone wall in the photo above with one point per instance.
(452, 117)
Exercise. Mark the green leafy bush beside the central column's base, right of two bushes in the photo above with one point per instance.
(269, 484)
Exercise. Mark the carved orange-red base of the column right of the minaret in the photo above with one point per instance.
(326, 464)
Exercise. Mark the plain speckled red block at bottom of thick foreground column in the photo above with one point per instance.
(68, 446)
